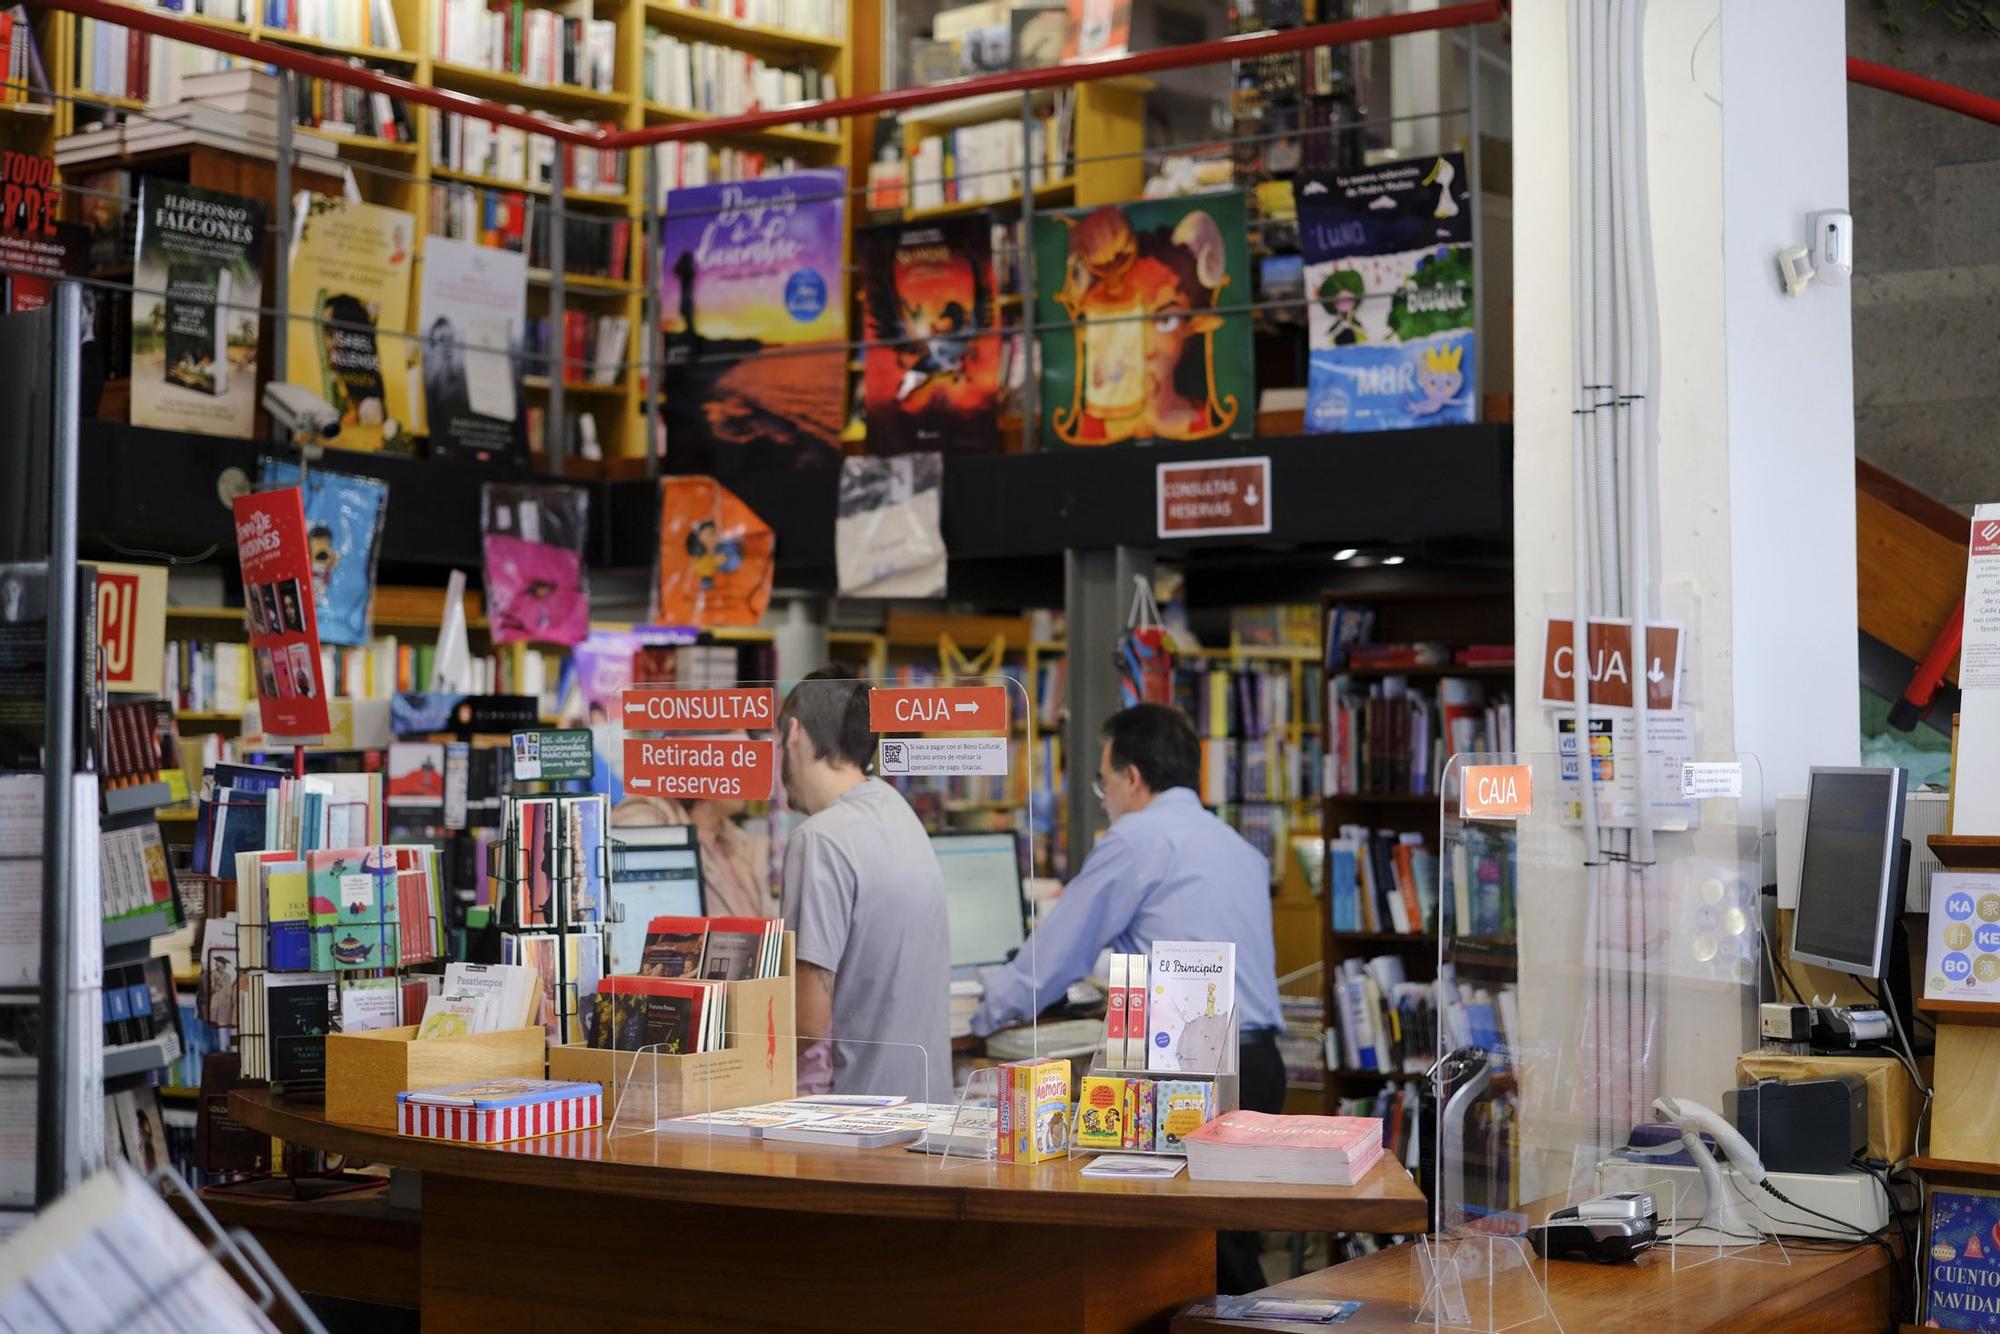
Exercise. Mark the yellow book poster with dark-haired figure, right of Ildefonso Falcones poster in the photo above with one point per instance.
(351, 317)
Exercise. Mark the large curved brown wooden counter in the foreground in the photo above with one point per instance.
(637, 1231)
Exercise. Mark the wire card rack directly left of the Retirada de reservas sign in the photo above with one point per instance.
(555, 877)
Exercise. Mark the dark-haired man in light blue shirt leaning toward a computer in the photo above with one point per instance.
(1165, 871)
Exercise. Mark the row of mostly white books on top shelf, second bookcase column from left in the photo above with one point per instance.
(559, 47)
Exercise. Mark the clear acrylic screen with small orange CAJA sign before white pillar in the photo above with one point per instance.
(1573, 997)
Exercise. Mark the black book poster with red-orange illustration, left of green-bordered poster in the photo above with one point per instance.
(931, 377)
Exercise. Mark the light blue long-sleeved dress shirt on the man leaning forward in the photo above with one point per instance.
(1167, 873)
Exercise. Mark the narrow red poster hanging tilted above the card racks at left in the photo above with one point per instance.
(285, 635)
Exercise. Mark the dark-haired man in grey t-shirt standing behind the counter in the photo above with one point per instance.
(867, 899)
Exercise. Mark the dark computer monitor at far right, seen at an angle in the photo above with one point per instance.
(1851, 871)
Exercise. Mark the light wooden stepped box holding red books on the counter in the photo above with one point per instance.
(759, 1065)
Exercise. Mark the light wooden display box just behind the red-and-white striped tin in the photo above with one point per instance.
(365, 1071)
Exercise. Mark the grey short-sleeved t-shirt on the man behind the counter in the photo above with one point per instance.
(867, 899)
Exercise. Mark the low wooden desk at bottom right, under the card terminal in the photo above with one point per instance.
(1817, 1293)
